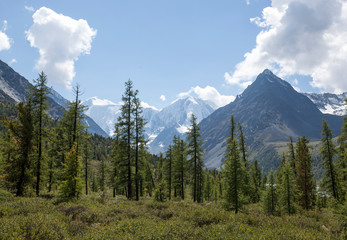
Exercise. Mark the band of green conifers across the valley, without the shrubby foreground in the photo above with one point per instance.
(41, 154)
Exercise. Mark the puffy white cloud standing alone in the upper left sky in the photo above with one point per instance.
(60, 40)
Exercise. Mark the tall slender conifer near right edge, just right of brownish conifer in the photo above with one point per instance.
(328, 151)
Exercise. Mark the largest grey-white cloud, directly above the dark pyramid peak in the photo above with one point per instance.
(305, 37)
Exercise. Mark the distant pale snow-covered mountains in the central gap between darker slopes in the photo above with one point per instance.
(161, 125)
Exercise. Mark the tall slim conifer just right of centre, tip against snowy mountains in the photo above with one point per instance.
(195, 152)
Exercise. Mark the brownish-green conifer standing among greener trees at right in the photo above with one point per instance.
(304, 179)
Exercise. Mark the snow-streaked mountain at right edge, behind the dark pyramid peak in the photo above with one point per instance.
(329, 103)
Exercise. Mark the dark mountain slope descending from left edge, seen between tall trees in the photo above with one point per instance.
(13, 88)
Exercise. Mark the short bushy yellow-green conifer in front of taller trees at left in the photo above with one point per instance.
(72, 185)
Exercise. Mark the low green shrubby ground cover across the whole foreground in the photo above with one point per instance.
(95, 217)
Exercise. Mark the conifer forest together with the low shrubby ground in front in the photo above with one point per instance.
(57, 181)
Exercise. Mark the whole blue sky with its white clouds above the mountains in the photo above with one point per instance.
(171, 49)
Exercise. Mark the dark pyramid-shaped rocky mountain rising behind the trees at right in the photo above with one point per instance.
(270, 111)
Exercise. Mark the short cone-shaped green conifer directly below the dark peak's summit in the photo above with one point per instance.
(270, 196)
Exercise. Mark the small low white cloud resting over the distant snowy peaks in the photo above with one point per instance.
(209, 94)
